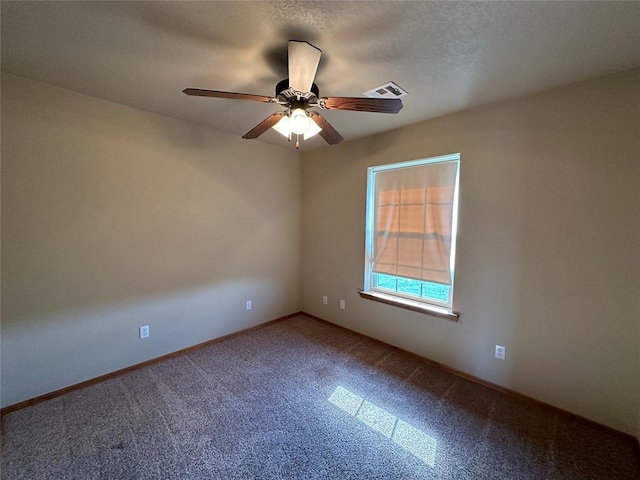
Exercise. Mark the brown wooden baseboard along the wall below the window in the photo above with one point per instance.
(632, 440)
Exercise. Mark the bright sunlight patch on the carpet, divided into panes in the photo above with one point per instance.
(412, 439)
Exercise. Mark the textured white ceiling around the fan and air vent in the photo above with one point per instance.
(448, 55)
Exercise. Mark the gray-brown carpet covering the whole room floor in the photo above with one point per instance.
(301, 399)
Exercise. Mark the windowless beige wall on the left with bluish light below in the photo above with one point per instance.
(114, 218)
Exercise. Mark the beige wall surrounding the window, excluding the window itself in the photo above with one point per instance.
(547, 259)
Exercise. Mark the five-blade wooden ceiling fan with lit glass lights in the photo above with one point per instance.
(298, 94)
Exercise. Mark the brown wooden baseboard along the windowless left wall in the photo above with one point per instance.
(137, 366)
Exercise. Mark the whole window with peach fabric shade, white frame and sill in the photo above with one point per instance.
(411, 233)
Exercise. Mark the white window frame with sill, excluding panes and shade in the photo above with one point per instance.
(412, 302)
